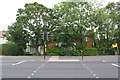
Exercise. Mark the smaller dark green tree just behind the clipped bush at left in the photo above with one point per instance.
(17, 34)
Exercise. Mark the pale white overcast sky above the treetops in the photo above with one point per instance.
(8, 9)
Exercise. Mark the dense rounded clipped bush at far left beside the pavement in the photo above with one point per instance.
(10, 49)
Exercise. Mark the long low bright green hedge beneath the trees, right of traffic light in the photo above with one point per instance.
(59, 51)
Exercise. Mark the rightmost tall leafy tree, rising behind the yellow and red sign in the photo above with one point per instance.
(103, 23)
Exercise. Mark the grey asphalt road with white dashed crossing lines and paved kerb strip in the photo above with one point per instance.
(59, 67)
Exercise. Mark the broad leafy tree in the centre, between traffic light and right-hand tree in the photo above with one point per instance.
(74, 18)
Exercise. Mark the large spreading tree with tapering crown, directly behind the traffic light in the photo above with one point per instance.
(37, 19)
